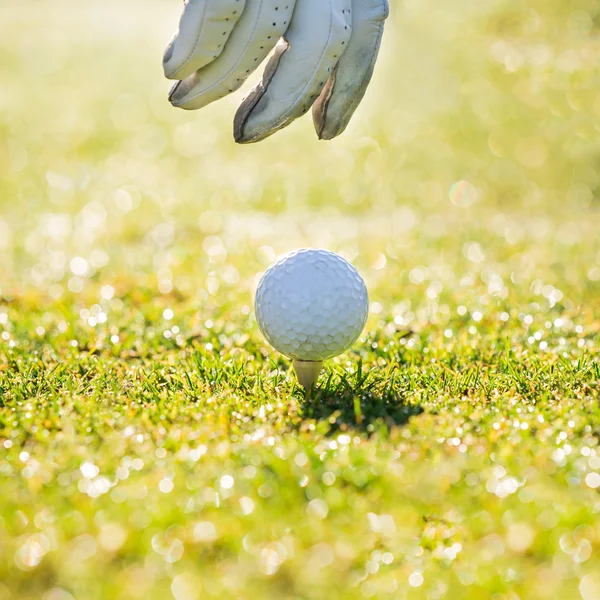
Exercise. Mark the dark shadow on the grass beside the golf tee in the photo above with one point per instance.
(362, 401)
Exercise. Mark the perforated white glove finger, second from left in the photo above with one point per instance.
(257, 32)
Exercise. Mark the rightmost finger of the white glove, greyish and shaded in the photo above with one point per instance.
(347, 85)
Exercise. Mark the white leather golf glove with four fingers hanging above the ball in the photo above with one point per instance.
(325, 52)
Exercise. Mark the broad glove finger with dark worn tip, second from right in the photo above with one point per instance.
(297, 72)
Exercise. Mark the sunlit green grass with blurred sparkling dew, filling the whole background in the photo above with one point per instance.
(153, 446)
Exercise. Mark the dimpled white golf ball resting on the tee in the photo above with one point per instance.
(311, 305)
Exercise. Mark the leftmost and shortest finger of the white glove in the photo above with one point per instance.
(204, 28)
